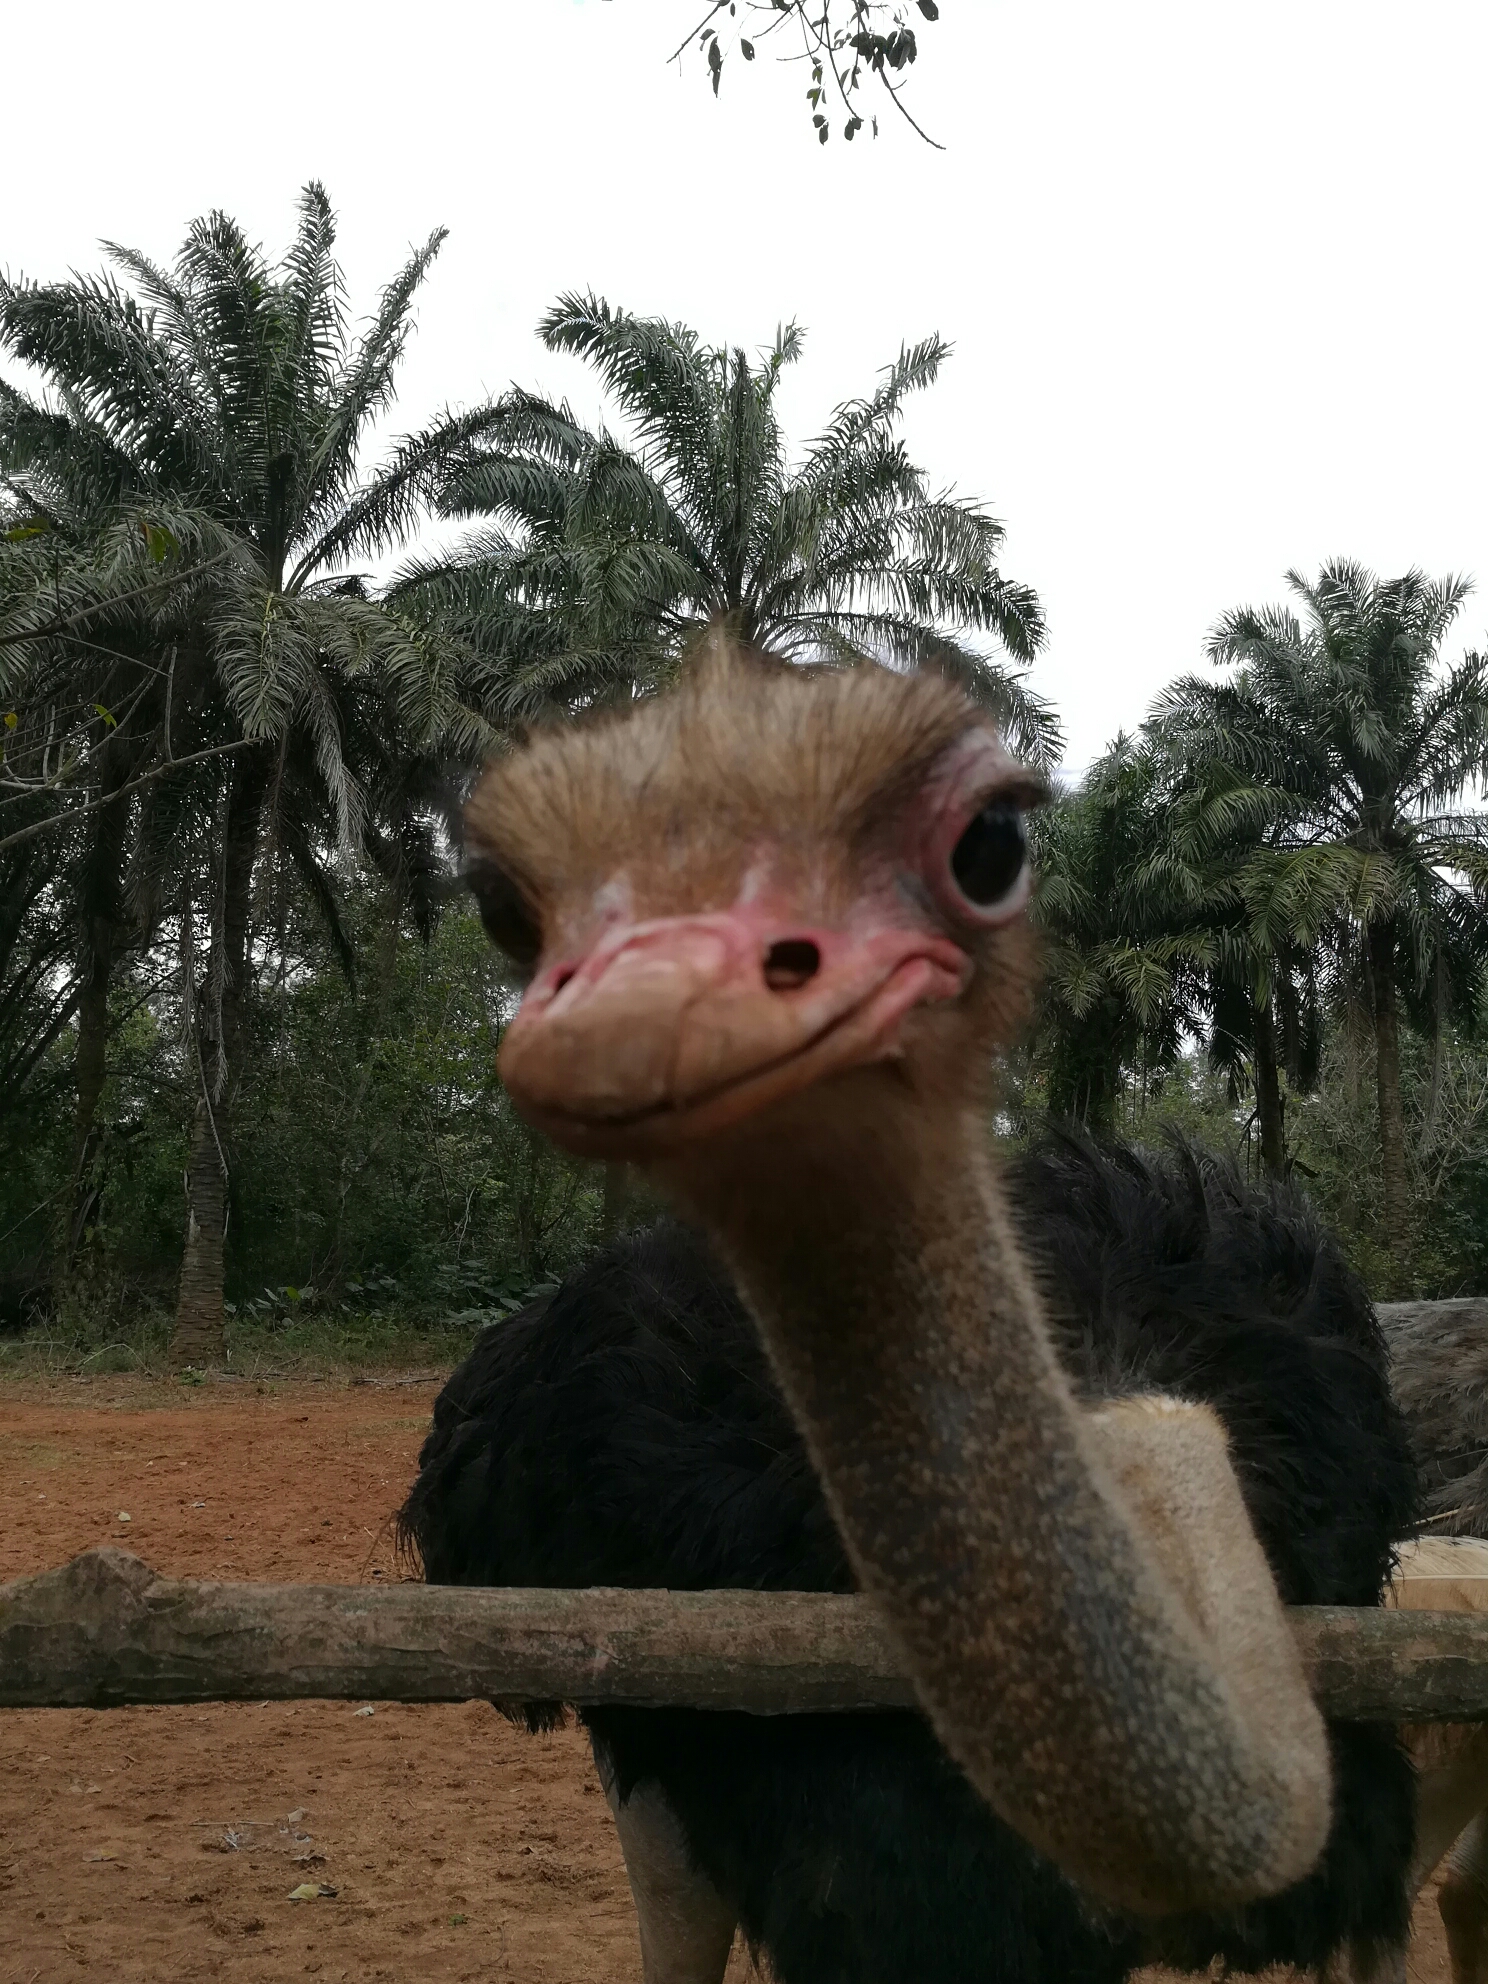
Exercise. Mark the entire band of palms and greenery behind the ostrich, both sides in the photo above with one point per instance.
(241, 989)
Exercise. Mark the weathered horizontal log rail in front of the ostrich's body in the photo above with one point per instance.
(106, 1632)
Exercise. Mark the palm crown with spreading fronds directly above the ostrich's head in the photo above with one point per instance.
(602, 558)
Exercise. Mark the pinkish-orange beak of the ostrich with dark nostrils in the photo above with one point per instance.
(672, 1031)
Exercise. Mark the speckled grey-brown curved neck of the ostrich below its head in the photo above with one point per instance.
(1053, 1654)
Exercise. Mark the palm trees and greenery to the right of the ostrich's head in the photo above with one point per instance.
(1285, 866)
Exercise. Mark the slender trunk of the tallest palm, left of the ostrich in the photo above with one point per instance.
(219, 1043)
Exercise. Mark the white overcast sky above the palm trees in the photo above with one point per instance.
(1215, 275)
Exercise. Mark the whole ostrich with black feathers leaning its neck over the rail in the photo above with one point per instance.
(775, 928)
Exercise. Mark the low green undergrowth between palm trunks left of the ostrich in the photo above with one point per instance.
(378, 1164)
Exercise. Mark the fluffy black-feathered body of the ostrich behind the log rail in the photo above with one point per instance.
(630, 1431)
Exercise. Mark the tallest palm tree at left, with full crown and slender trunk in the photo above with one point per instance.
(225, 404)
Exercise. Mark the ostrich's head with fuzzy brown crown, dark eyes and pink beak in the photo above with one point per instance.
(769, 882)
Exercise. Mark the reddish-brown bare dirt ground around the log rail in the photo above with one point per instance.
(162, 1844)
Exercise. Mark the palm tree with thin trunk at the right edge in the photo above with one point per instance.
(1346, 751)
